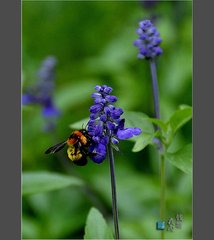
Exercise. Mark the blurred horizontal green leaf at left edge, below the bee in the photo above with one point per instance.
(37, 182)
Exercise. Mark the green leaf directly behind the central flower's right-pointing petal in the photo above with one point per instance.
(140, 120)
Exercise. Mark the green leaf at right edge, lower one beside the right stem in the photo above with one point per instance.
(182, 159)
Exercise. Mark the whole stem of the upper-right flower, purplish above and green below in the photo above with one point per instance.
(160, 148)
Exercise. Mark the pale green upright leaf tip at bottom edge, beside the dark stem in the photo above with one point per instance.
(96, 226)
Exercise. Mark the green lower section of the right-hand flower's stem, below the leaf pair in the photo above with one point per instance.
(162, 194)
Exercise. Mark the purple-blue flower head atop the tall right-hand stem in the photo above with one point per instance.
(148, 41)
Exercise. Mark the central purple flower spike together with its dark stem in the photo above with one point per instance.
(107, 128)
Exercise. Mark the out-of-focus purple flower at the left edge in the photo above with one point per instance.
(42, 92)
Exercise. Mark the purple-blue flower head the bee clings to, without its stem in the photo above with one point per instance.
(106, 125)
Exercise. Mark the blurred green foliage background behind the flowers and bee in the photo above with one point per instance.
(93, 43)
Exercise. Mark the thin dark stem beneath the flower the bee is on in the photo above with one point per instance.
(114, 195)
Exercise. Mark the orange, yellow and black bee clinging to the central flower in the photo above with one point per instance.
(78, 144)
